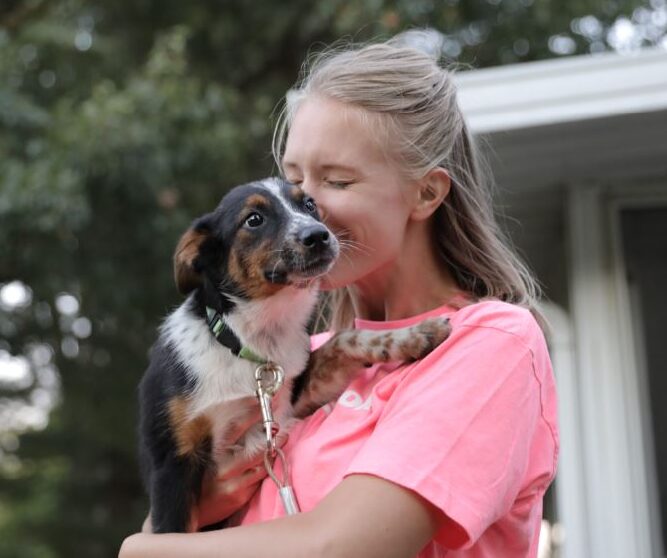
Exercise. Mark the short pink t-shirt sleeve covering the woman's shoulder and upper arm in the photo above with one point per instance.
(459, 428)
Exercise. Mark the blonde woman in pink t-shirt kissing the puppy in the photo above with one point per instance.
(449, 455)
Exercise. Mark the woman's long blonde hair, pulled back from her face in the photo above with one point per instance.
(412, 101)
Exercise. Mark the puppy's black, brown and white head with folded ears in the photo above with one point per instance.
(263, 236)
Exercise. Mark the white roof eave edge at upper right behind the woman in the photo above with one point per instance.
(563, 90)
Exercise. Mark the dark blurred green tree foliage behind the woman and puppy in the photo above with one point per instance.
(119, 123)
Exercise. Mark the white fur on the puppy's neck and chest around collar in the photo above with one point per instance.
(274, 328)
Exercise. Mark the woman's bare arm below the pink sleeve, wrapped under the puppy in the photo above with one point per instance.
(363, 516)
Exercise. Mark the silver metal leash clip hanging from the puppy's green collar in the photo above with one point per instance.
(269, 378)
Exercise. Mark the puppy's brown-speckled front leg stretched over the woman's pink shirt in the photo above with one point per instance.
(332, 366)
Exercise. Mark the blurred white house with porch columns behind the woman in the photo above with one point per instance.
(578, 147)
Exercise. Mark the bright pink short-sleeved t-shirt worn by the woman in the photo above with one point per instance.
(472, 428)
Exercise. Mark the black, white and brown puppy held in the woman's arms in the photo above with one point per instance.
(249, 270)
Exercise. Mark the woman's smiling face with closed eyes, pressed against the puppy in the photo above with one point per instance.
(331, 152)
